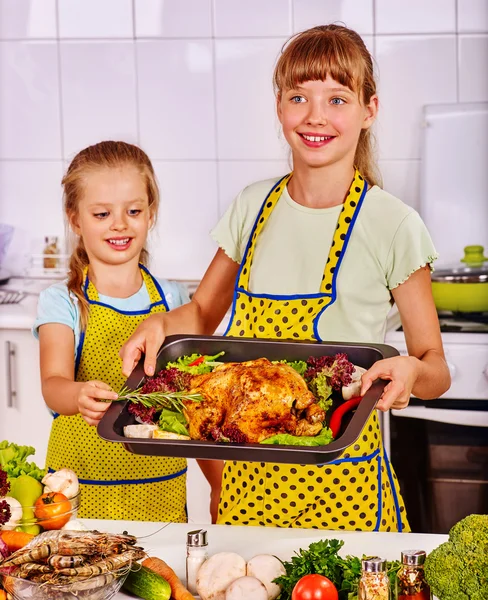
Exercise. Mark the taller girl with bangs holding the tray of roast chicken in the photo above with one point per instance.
(320, 254)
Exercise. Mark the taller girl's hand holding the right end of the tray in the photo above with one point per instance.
(402, 372)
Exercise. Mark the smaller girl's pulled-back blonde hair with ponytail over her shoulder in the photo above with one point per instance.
(105, 155)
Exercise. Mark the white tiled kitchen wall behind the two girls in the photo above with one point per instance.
(190, 81)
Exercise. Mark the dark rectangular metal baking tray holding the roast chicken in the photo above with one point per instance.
(111, 426)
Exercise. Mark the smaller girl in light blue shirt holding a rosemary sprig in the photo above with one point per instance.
(110, 201)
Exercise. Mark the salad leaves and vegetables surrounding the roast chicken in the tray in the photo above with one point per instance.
(158, 404)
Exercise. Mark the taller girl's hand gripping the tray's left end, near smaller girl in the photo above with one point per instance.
(147, 339)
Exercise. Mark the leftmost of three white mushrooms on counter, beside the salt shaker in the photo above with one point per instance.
(217, 573)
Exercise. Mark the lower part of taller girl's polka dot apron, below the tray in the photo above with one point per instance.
(352, 493)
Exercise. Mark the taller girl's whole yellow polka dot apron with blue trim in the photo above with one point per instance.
(358, 491)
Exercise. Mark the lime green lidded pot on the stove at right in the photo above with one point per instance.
(463, 288)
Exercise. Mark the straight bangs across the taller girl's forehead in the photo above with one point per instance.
(306, 62)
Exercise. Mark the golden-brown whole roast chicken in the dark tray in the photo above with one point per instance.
(251, 401)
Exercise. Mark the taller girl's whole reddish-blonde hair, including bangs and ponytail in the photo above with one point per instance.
(340, 53)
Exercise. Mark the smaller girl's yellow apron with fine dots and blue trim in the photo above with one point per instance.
(115, 484)
